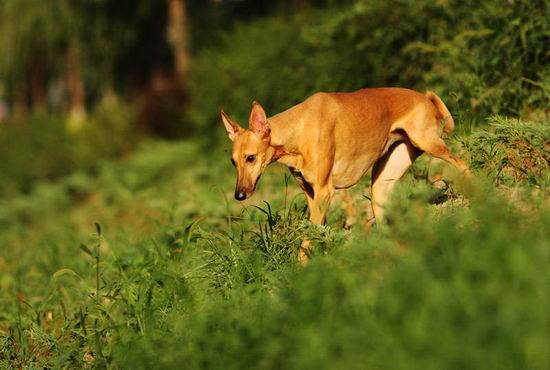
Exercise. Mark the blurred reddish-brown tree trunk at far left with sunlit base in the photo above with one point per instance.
(75, 84)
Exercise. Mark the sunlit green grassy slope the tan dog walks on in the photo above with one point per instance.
(151, 264)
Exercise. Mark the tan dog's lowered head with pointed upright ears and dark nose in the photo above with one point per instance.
(251, 151)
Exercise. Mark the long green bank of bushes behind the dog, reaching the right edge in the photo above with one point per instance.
(482, 58)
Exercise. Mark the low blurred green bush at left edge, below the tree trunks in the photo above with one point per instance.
(42, 148)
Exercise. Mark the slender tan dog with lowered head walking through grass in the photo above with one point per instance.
(332, 139)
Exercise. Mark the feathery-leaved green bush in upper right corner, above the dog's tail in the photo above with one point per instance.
(495, 53)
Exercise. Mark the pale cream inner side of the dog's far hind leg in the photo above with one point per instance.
(387, 171)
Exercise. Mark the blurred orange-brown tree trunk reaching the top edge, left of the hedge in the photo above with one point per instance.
(178, 37)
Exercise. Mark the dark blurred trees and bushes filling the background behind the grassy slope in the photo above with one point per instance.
(88, 80)
